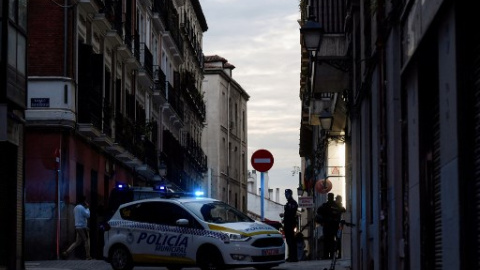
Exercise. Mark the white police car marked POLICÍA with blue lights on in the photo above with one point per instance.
(181, 232)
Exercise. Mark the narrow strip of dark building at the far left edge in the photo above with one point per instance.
(13, 90)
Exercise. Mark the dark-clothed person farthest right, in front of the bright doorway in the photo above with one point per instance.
(330, 214)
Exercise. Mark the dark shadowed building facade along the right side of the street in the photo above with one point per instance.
(408, 75)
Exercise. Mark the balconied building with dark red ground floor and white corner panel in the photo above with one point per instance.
(114, 94)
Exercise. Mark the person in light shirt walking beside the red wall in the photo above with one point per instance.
(81, 214)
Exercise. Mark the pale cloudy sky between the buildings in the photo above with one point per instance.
(261, 39)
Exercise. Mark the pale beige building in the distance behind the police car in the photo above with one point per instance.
(225, 137)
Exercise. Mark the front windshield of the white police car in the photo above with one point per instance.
(216, 212)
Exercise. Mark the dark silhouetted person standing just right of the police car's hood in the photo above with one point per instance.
(289, 224)
